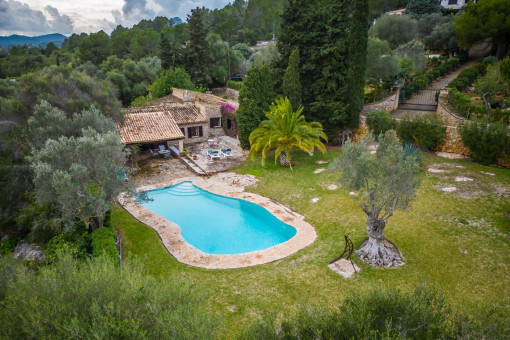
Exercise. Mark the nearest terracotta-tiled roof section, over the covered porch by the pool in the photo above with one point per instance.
(148, 124)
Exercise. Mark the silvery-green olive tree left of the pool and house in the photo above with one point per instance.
(78, 176)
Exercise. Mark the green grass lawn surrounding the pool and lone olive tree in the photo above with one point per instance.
(431, 236)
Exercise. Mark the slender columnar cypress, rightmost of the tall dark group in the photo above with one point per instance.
(357, 61)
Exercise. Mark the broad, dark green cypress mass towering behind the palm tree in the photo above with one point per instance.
(319, 28)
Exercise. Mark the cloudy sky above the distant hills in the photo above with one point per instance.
(37, 17)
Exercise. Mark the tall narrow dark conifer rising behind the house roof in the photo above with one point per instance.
(199, 60)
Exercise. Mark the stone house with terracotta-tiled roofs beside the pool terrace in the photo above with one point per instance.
(183, 117)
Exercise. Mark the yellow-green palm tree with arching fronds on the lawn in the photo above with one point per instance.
(285, 130)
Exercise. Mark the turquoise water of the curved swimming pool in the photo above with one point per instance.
(217, 224)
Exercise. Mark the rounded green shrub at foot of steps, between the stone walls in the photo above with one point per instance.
(425, 131)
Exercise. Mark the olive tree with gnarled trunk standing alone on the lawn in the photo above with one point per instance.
(386, 180)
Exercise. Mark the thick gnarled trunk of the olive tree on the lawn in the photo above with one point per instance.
(376, 250)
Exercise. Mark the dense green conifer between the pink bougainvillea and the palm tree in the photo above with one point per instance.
(255, 97)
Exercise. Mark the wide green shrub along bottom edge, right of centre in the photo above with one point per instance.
(380, 314)
